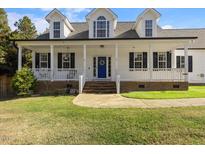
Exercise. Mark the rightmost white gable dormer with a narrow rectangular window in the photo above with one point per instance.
(146, 23)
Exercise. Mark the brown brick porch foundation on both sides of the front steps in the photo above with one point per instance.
(44, 87)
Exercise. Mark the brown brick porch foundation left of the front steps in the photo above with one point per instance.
(51, 87)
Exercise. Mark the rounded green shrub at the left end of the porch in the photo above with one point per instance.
(24, 81)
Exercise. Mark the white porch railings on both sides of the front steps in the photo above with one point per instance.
(156, 74)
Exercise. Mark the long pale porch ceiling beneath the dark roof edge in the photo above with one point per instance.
(154, 45)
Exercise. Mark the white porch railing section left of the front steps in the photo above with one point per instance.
(59, 74)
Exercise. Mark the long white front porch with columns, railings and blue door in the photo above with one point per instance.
(106, 61)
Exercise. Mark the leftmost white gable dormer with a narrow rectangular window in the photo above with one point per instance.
(59, 25)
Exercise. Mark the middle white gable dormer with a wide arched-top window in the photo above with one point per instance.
(102, 22)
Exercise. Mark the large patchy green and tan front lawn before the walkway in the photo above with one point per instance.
(55, 120)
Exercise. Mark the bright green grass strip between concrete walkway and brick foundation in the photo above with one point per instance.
(193, 92)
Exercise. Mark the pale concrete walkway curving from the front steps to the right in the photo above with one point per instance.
(117, 101)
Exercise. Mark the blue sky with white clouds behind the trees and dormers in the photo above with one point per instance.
(170, 18)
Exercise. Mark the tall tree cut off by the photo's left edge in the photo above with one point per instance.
(4, 35)
